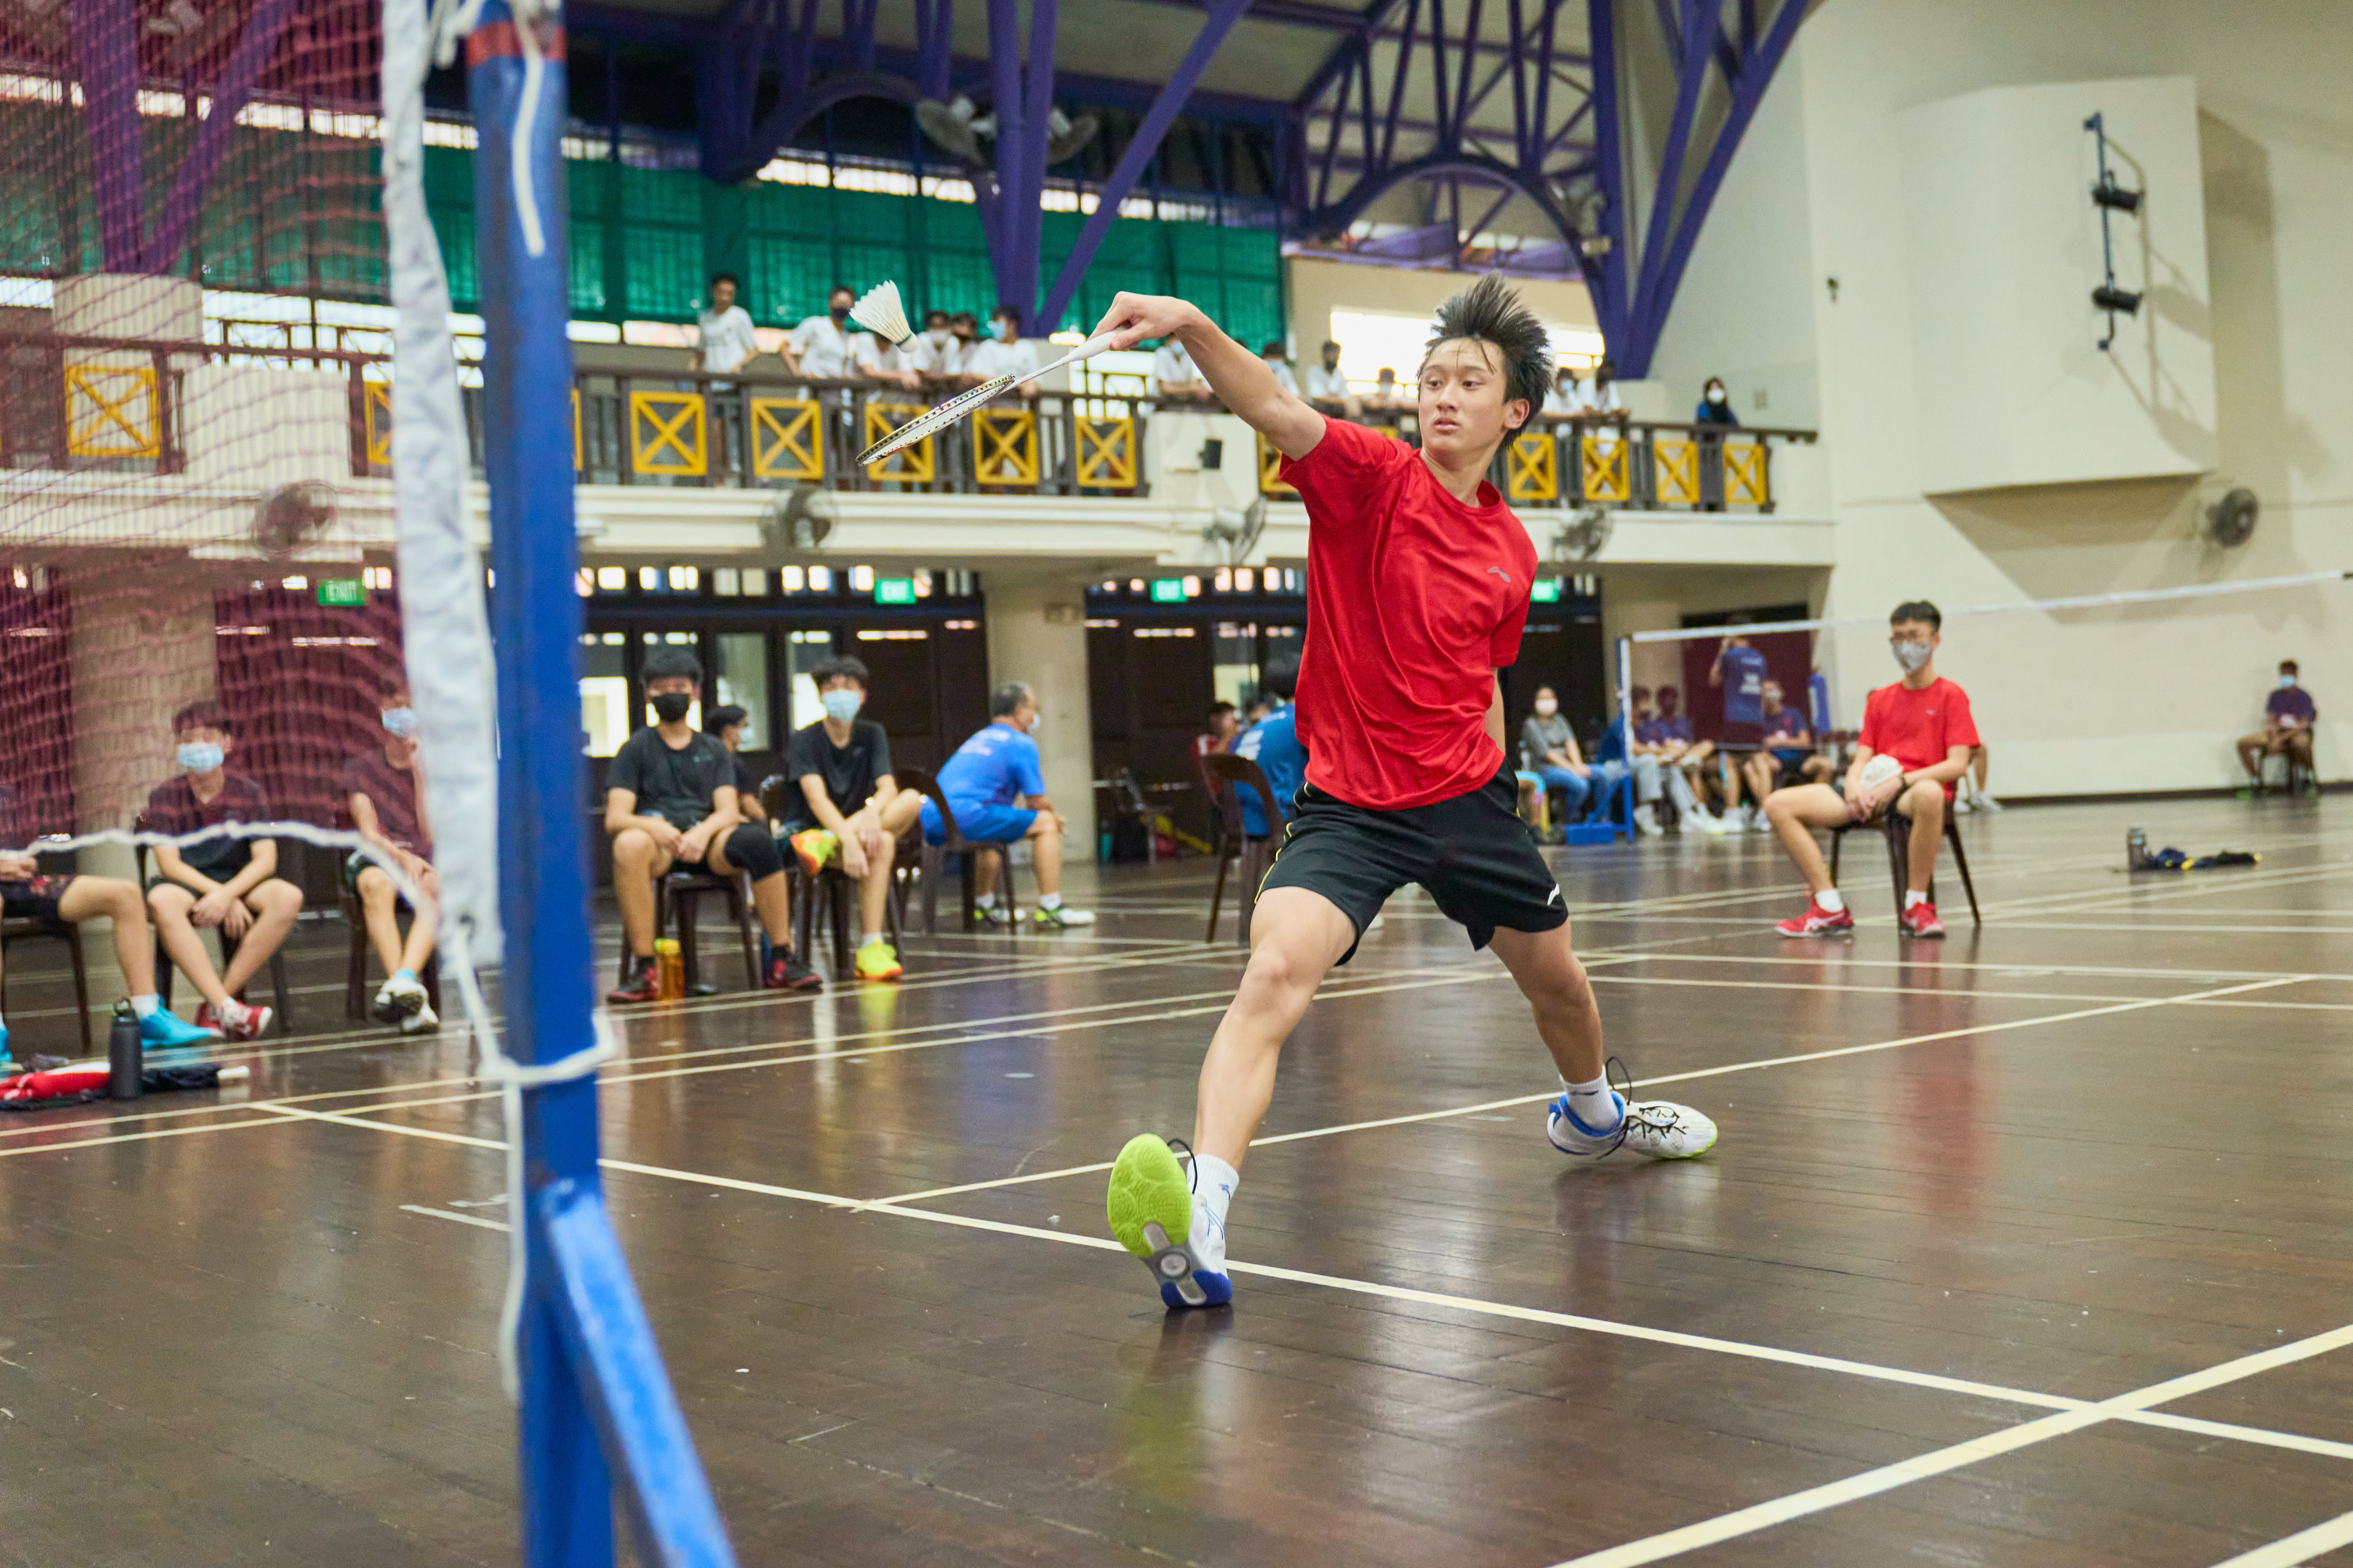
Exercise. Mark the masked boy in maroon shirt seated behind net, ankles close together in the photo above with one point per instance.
(229, 883)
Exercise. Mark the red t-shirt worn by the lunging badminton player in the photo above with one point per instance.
(1415, 601)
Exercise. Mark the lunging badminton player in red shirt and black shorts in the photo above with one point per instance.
(1418, 591)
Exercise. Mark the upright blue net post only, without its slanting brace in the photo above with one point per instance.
(542, 876)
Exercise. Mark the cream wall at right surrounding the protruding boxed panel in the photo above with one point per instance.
(2138, 699)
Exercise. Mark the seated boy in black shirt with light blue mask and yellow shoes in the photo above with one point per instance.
(848, 812)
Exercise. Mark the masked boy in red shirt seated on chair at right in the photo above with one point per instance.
(1924, 728)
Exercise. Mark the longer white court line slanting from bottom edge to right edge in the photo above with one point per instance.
(1921, 1468)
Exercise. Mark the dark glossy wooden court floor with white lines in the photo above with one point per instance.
(2029, 1247)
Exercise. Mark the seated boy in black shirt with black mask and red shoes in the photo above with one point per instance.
(686, 786)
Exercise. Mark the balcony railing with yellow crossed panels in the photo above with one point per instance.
(121, 406)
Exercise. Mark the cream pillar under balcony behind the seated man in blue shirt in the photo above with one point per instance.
(1039, 634)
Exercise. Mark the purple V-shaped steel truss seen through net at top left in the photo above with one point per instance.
(107, 62)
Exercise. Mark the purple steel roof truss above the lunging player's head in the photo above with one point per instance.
(1564, 147)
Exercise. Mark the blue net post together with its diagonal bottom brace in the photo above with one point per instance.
(596, 1400)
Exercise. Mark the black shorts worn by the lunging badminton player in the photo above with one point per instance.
(1469, 852)
